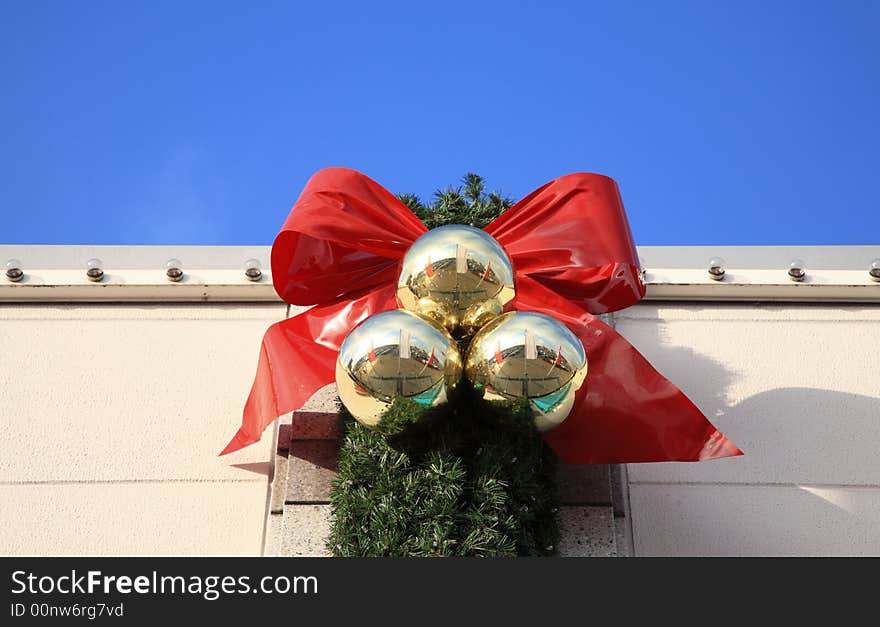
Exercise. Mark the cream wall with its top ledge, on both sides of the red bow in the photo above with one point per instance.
(112, 413)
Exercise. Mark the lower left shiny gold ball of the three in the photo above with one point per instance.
(391, 354)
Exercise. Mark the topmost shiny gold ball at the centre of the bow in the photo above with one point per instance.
(457, 275)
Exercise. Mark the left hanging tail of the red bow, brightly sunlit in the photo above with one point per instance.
(298, 357)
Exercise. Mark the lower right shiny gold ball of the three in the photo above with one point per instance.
(528, 355)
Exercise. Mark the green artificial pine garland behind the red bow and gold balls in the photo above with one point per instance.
(468, 478)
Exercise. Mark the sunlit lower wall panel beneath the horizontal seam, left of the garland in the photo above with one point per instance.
(163, 518)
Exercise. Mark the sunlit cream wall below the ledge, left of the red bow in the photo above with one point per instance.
(112, 419)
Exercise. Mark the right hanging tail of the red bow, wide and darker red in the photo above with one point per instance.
(628, 412)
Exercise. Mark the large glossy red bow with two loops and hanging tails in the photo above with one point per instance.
(571, 248)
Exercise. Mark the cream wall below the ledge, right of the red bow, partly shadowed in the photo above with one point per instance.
(797, 388)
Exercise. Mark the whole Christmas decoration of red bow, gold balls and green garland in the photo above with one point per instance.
(473, 475)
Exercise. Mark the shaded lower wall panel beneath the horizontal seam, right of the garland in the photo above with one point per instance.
(755, 520)
